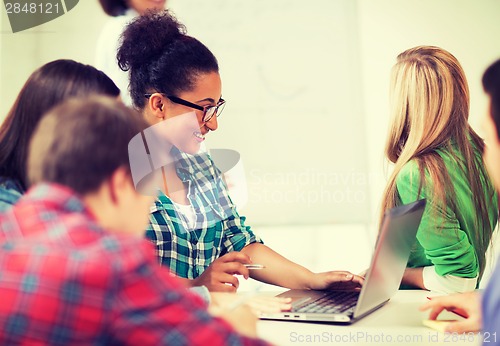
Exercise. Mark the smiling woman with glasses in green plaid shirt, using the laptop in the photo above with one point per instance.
(198, 232)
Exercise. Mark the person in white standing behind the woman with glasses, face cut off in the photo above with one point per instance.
(122, 12)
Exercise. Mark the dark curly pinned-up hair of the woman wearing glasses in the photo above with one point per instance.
(161, 57)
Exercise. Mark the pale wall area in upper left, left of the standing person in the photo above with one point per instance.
(71, 36)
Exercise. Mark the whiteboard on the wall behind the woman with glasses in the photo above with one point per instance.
(291, 77)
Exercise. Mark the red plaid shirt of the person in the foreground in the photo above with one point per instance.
(66, 281)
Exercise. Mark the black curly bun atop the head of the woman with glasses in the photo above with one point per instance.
(147, 37)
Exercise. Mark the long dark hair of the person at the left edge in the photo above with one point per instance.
(49, 85)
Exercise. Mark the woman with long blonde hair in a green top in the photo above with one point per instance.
(437, 156)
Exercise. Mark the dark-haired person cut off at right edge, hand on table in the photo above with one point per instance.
(487, 315)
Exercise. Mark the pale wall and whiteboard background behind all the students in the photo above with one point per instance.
(307, 90)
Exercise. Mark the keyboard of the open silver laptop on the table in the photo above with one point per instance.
(331, 303)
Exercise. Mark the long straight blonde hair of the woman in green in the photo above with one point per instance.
(430, 110)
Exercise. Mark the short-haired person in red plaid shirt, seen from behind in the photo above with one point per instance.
(74, 266)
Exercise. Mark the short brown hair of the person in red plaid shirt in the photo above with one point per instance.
(82, 142)
